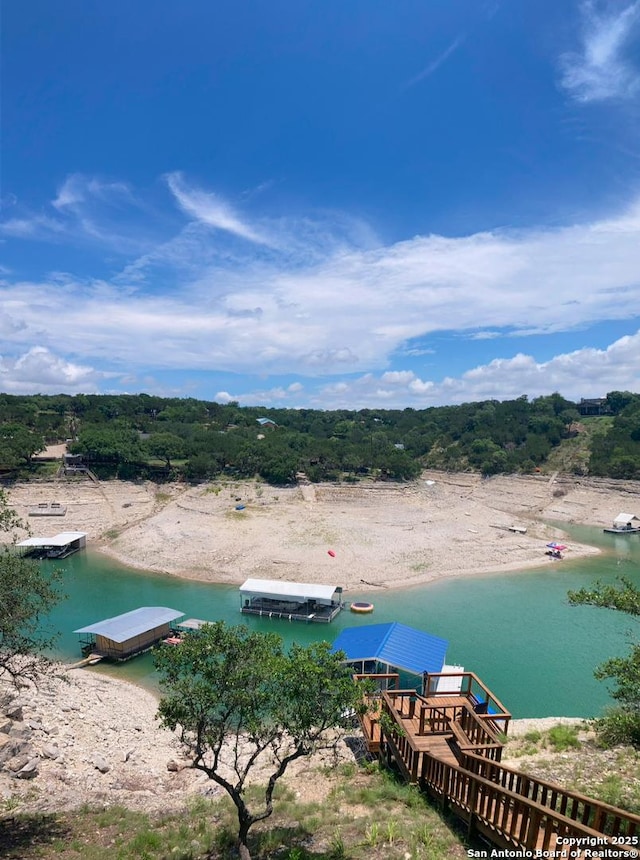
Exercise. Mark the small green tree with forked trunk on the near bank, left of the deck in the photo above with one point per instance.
(241, 701)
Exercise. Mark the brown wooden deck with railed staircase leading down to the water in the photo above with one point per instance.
(441, 743)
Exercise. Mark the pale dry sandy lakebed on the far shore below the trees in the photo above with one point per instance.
(382, 535)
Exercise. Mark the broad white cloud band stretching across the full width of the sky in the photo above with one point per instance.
(349, 313)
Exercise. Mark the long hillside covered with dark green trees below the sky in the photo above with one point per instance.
(143, 436)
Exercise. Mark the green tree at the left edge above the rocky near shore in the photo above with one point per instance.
(26, 598)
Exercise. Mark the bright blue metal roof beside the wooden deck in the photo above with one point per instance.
(394, 644)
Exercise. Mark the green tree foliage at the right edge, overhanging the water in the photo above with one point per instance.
(620, 724)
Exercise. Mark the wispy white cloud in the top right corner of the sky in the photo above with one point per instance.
(606, 67)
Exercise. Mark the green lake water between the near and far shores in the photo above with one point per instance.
(516, 631)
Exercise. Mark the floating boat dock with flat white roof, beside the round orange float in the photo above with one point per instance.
(291, 601)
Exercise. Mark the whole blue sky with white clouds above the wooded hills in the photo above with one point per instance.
(336, 204)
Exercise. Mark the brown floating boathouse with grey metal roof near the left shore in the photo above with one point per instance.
(128, 634)
